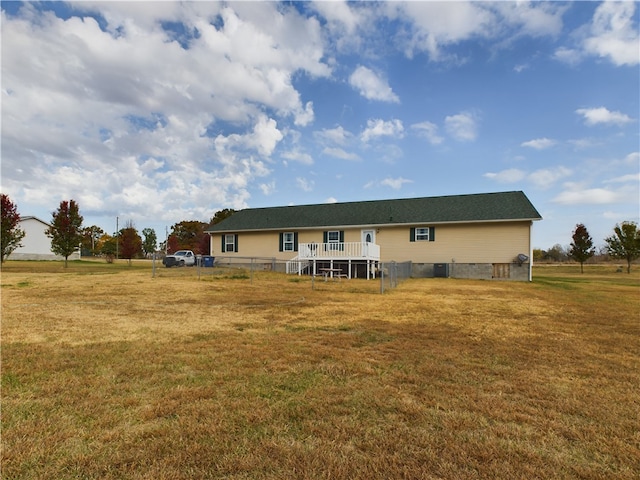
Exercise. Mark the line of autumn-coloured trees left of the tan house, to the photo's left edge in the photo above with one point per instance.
(68, 234)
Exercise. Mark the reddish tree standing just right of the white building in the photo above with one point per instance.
(66, 229)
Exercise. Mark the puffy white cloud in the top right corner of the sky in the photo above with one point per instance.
(614, 33)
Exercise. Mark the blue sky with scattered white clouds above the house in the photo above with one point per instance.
(161, 112)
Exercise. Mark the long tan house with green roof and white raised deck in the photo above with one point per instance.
(465, 236)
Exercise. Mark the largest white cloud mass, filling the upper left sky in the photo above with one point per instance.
(140, 118)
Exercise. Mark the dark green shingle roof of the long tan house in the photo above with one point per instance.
(485, 207)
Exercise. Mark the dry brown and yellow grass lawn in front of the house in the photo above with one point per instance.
(108, 373)
